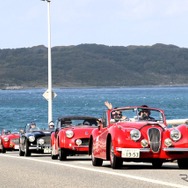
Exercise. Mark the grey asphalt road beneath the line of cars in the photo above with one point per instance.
(77, 172)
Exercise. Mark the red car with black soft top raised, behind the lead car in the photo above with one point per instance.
(72, 136)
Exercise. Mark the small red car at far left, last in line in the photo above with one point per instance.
(9, 140)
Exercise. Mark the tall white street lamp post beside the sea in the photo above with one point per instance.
(49, 91)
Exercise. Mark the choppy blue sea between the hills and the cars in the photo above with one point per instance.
(19, 107)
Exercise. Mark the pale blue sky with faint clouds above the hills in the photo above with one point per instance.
(24, 23)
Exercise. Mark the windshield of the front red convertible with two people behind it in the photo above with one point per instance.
(138, 114)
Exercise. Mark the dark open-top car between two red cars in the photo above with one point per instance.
(34, 140)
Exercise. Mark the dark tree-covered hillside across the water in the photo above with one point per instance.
(95, 65)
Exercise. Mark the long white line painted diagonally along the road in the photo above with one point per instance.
(101, 171)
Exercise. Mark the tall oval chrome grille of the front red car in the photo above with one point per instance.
(155, 139)
